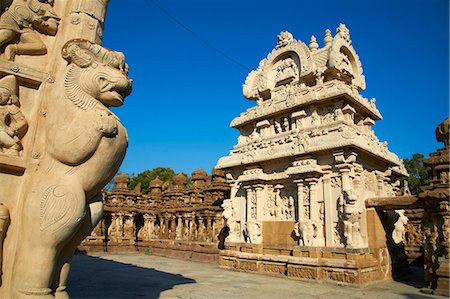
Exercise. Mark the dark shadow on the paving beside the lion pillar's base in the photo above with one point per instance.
(93, 277)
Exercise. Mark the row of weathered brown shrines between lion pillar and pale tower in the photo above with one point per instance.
(171, 220)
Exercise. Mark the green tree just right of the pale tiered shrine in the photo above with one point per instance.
(418, 173)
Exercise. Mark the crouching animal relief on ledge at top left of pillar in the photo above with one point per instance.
(22, 21)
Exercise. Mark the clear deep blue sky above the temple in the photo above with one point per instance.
(185, 93)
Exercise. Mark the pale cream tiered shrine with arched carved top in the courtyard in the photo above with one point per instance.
(305, 161)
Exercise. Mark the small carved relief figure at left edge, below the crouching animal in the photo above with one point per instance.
(13, 125)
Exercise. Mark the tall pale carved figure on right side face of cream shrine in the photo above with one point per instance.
(352, 219)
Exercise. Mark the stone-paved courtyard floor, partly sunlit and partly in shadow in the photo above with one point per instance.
(117, 276)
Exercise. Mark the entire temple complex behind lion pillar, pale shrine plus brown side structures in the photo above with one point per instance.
(308, 192)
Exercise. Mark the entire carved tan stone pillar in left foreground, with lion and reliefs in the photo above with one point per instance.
(59, 142)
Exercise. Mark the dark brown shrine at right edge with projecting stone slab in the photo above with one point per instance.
(420, 234)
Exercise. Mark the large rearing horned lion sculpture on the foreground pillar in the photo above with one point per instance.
(84, 146)
